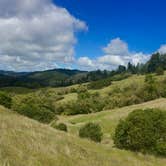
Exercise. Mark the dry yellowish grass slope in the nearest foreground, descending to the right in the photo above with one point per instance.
(24, 142)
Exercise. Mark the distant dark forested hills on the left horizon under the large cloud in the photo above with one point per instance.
(56, 77)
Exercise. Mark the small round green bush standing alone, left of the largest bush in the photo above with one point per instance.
(91, 131)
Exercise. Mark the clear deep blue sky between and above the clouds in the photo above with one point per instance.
(141, 23)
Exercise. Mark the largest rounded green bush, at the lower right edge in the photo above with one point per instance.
(144, 131)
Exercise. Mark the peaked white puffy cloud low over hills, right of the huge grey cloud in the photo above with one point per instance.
(114, 54)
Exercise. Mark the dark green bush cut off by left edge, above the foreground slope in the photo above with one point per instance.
(5, 100)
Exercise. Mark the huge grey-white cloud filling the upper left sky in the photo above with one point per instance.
(36, 34)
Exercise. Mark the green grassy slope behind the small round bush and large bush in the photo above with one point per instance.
(108, 119)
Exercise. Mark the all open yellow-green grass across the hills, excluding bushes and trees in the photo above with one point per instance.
(25, 142)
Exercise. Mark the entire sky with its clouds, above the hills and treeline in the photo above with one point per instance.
(81, 34)
